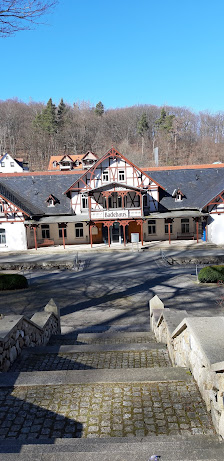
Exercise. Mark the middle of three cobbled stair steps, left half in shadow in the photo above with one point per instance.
(88, 357)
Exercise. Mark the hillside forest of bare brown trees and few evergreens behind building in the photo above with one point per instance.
(35, 131)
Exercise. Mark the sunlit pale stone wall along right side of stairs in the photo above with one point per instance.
(196, 343)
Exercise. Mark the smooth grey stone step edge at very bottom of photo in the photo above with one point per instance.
(135, 449)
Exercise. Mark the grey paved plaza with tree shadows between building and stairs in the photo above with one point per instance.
(112, 291)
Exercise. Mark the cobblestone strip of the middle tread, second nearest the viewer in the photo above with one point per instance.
(83, 361)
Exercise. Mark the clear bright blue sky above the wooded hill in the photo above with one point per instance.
(121, 53)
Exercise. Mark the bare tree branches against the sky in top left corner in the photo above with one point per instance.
(18, 15)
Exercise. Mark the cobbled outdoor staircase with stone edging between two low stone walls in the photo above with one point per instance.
(103, 397)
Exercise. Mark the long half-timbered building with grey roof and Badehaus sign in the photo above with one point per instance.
(109, 202)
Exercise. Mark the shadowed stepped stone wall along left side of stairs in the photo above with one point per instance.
(17, 332)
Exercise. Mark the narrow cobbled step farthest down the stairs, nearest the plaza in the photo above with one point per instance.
(110, 337)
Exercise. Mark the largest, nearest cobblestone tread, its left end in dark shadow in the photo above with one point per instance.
(98, 410)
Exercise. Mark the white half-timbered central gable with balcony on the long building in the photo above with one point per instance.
(115, 175)
